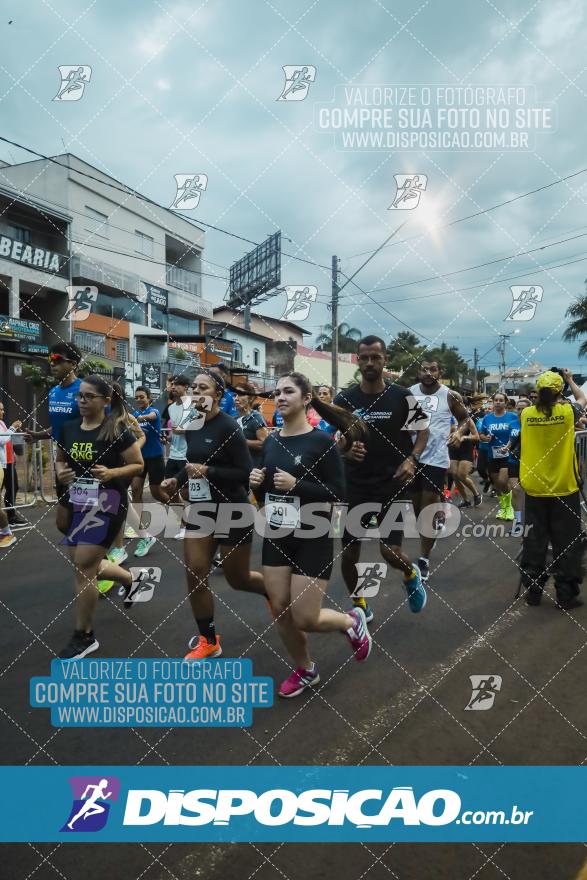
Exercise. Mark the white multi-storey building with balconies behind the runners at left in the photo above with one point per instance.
(137, 265)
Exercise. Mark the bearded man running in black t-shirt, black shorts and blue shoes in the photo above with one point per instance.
(378, 470)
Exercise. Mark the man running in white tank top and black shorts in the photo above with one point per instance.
(440, 403)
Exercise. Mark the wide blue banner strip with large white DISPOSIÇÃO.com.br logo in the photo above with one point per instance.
(313, 804)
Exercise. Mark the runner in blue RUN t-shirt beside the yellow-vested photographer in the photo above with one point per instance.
(496, 430)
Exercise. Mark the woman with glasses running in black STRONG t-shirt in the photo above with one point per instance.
(97, 457)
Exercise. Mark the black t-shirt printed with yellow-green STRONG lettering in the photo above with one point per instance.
(83, 451)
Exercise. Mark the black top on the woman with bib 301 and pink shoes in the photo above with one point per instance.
(312, 458)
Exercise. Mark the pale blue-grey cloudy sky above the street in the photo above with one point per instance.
(187, 86)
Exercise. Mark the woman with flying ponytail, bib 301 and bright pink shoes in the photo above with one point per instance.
(301, 467)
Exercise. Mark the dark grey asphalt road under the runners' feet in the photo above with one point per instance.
(405, 706)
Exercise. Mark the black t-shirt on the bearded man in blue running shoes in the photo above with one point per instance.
(387, 444)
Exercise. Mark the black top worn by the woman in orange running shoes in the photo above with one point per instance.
(220, 444)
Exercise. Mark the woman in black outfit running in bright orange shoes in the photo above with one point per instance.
(215, 481)
